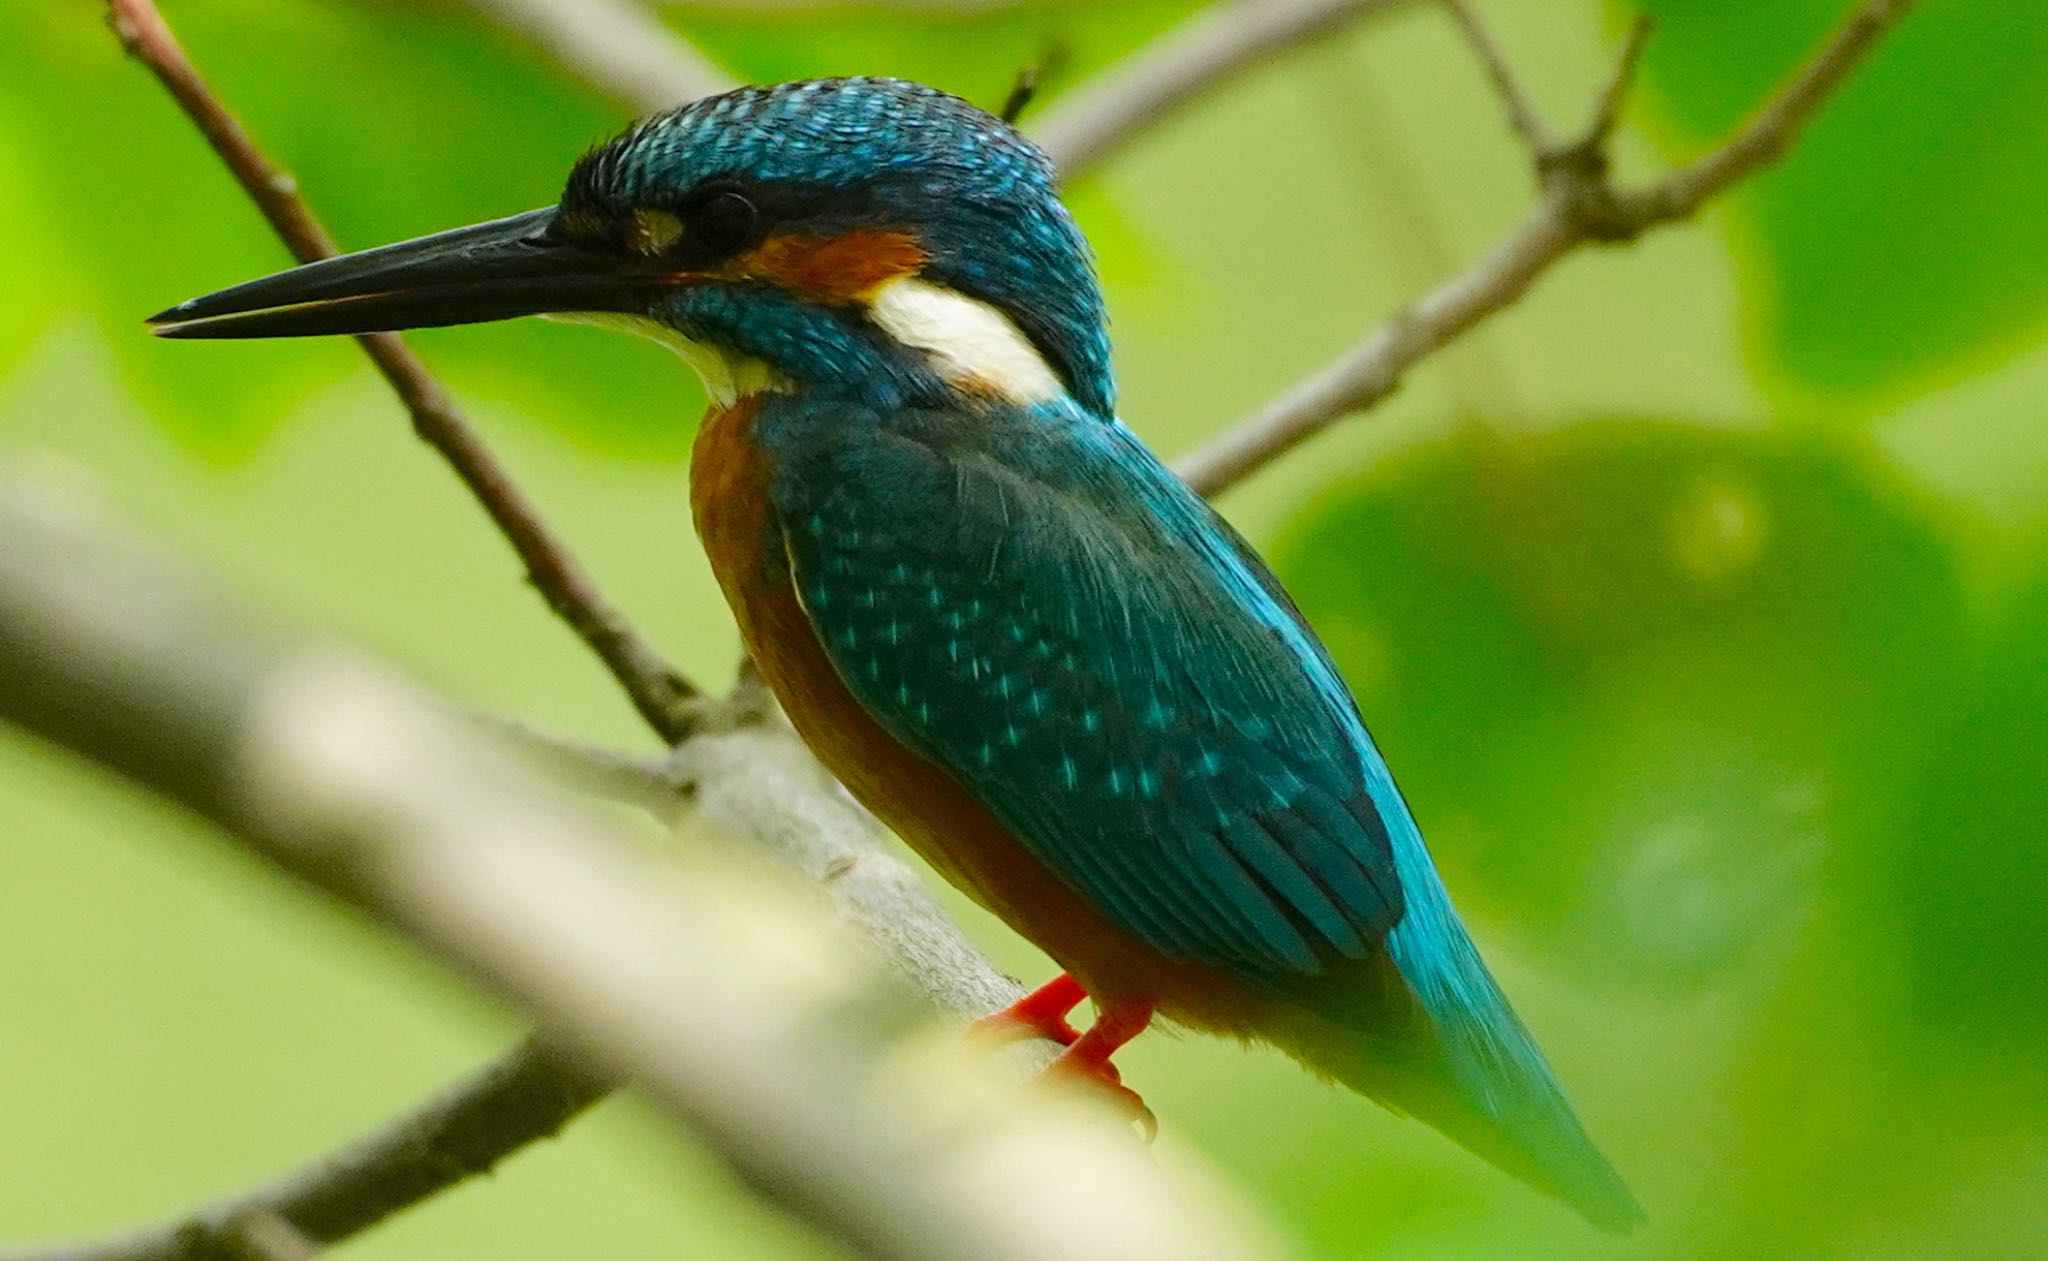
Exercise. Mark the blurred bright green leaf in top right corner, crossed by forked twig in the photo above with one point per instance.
(1893, 251)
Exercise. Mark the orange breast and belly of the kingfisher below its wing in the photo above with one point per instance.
(919, 799)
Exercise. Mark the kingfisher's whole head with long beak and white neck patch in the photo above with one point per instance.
(859, 236)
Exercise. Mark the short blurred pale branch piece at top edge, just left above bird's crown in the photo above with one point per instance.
(615, 46)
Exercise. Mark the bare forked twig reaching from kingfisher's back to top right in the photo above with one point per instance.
(1580, 206)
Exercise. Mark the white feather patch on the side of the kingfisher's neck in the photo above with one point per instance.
(970, 343)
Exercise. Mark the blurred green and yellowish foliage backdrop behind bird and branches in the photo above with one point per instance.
(1701, 603)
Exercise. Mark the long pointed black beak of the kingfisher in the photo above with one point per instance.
(493, 271)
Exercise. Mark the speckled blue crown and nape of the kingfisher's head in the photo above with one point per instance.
(876, 153)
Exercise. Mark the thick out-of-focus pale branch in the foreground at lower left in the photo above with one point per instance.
(722, 992)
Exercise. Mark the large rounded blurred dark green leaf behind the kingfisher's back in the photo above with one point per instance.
(1639, 681)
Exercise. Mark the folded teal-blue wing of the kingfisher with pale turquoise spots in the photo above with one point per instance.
(1080, 642)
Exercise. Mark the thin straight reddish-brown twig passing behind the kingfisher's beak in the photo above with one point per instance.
(658, 693)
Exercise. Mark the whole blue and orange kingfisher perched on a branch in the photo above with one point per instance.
(984, 603)
